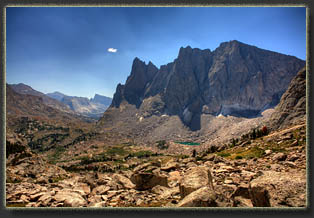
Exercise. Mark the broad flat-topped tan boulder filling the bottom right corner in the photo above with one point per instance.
(279, 189)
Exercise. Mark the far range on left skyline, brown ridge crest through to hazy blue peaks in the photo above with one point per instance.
(93, 107)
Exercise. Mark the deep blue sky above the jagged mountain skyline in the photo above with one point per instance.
(66, 48)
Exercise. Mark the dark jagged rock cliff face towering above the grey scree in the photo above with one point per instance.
(235, 79)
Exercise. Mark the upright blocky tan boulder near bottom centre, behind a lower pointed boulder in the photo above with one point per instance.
(195, 178)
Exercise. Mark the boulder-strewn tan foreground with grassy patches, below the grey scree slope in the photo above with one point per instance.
(268, 171)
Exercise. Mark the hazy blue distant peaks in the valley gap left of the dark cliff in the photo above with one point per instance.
(93, 107)
